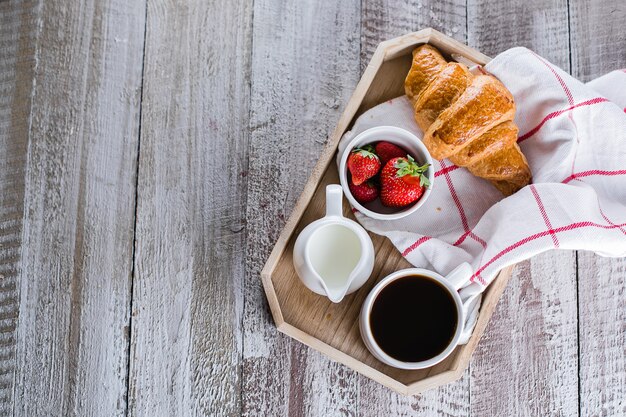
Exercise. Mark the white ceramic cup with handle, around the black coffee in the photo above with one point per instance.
(456, 280)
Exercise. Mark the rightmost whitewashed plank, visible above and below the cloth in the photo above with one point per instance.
(598, 39)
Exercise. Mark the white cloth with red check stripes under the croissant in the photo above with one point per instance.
(574, 137)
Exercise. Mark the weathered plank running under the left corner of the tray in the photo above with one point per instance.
(305, 66)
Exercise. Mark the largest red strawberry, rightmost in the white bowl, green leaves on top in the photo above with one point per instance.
(403, 181)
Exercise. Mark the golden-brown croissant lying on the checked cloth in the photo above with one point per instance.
(467, 118)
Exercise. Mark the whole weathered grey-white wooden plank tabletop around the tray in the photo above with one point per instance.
(150, 152)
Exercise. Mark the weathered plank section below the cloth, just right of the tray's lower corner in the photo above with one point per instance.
(526, 363)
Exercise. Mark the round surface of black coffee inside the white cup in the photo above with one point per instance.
(413, 319)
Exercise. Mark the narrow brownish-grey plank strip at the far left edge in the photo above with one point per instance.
(17, 63)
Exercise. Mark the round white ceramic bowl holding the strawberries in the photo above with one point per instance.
(402, 138)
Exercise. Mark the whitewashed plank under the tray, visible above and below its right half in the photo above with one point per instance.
(382, 20)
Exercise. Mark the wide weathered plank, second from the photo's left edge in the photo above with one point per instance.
(78, 209)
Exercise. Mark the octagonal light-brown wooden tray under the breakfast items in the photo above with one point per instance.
(333, 329)
